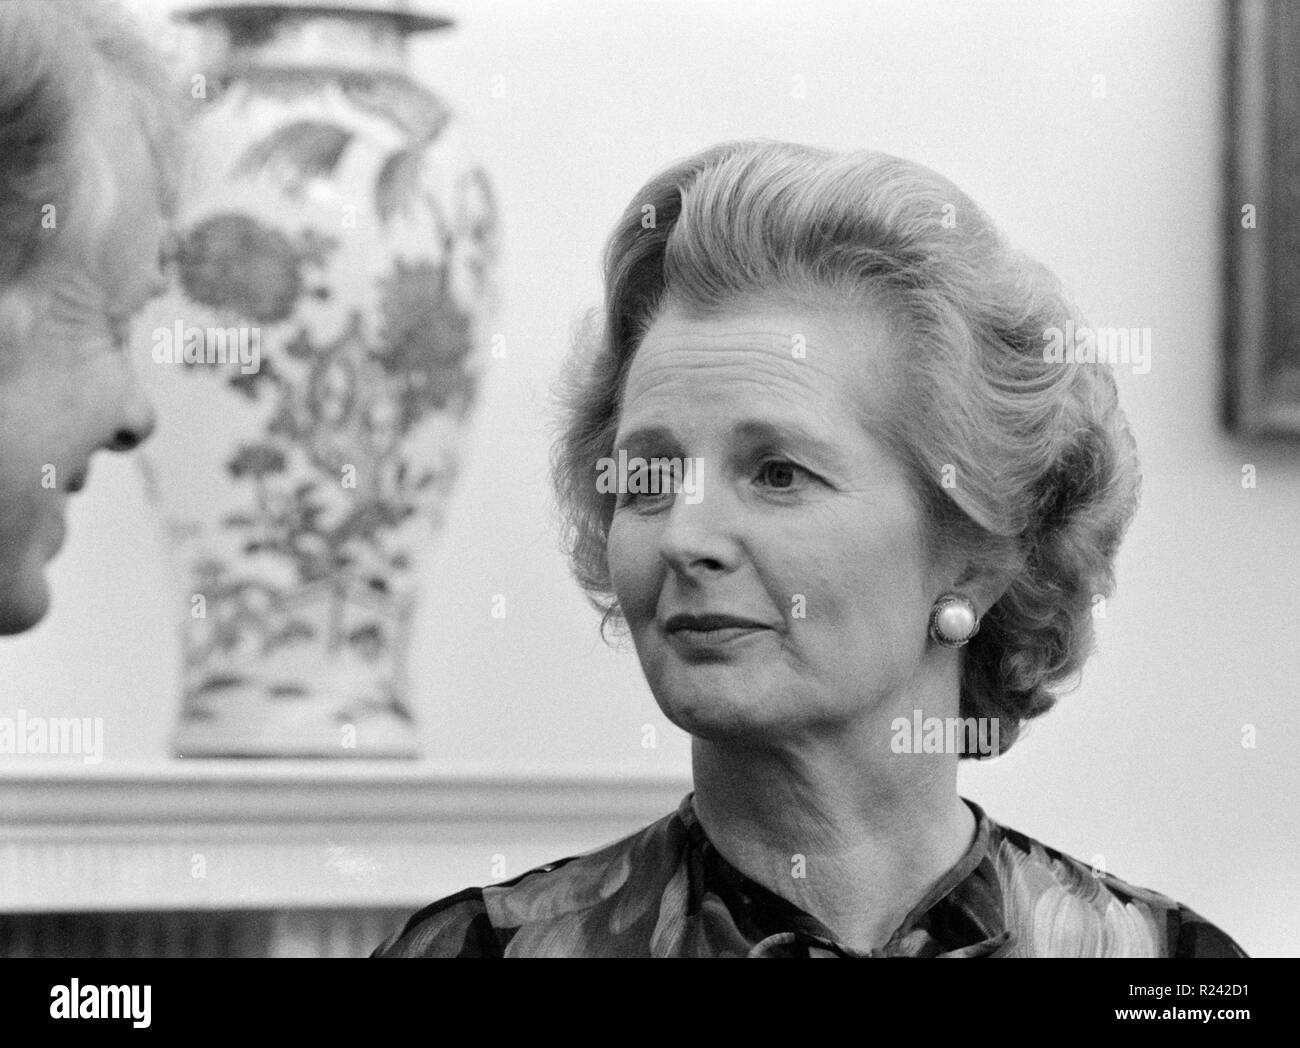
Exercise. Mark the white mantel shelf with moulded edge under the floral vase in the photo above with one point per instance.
(289, 834)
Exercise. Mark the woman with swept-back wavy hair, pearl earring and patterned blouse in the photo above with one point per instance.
(859, 496)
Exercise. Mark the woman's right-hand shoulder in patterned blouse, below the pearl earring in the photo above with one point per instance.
(1059, 906)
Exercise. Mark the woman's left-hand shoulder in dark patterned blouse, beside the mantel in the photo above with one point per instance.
(562, 908)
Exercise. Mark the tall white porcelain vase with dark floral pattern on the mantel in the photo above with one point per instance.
(314, 366)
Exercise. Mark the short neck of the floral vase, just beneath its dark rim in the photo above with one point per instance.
(306, 41)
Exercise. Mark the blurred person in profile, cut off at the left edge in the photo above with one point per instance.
(86, 170)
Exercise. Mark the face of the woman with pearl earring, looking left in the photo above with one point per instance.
(804, 532)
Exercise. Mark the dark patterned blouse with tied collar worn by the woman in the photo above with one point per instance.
(666, 891)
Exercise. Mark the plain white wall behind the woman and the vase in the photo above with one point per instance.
(1123, 196)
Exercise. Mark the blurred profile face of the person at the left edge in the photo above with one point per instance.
(66, 386)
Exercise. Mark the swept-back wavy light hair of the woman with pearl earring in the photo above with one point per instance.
(1047, 469)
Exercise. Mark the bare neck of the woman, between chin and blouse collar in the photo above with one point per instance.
(852, 835)
